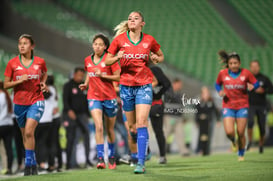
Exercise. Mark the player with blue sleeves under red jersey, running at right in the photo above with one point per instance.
(235, 81)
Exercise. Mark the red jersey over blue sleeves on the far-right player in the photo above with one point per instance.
(235, 88)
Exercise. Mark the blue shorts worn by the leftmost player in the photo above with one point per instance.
(34, 111)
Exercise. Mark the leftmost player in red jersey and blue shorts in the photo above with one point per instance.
(26, 73)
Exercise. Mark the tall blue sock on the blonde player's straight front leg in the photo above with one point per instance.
(142, 139)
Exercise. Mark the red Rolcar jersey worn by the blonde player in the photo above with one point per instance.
(134, 63)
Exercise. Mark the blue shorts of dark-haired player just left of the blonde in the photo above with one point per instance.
(109, 107)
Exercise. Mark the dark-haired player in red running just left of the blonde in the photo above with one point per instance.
(102, 97)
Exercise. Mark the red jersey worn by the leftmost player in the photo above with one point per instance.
(28, 92)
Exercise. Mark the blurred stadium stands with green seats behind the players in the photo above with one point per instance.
(190, 33)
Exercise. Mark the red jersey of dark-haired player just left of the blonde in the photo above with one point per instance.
(100, 88)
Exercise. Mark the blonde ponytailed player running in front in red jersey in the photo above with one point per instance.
(132, 48)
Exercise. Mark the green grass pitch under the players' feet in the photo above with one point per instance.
(215, 167)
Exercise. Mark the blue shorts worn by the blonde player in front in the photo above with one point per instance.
(132, 95)
